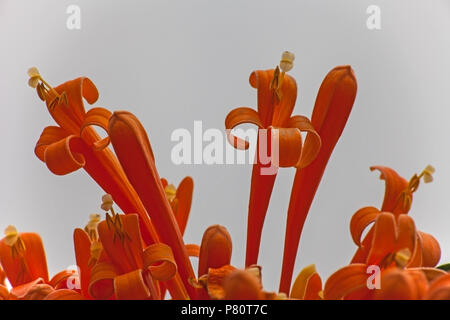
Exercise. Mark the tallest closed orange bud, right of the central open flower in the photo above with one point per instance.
(333, 105)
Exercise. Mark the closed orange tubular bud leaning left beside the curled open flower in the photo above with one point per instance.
(135, 154)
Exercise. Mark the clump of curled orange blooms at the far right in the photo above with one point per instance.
(404, 255)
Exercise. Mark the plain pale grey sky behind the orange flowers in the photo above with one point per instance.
(174, 62)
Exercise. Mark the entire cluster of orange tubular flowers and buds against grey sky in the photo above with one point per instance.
(141, 254)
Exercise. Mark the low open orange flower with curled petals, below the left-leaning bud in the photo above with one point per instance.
(114, 264)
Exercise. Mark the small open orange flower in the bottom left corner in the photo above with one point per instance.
(22, 257)
